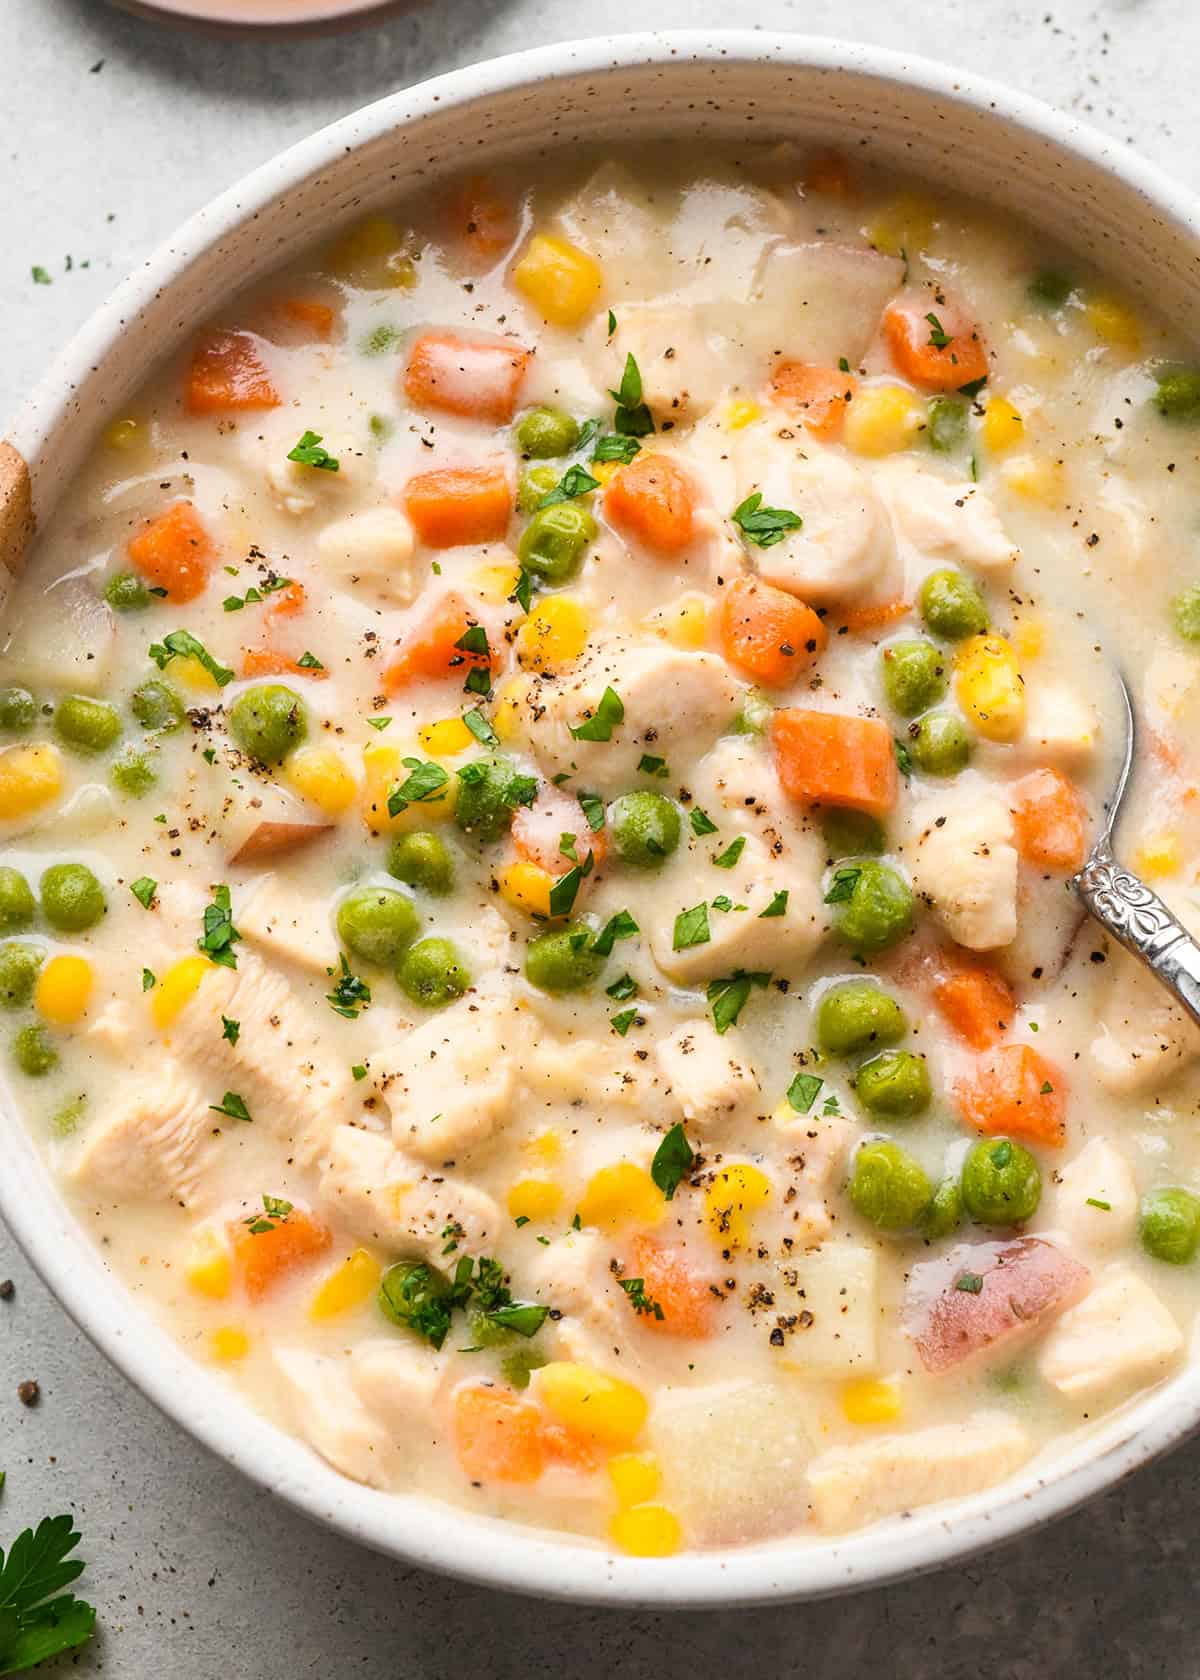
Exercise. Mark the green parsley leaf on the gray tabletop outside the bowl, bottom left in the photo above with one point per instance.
(38, 1619)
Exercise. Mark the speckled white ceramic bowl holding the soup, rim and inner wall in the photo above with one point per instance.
(961, 132)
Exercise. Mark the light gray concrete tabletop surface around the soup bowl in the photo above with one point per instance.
(110, 134)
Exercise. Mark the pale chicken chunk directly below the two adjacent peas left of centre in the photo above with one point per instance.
(451, 1083)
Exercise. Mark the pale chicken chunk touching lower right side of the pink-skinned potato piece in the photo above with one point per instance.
(1120, 1336)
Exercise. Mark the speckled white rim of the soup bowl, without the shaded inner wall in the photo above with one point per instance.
(413, 1528)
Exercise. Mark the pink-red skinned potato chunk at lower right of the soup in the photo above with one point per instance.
(987, 1298)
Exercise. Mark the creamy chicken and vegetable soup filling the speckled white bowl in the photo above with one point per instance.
(544, 762)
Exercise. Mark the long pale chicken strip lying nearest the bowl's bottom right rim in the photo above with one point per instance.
(855, 1486)
